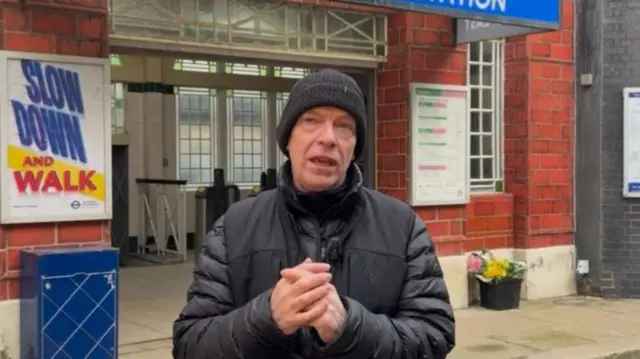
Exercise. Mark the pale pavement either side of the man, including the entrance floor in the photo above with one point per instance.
(573, 327)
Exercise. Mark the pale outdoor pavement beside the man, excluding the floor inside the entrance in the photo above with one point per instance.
(562, 328)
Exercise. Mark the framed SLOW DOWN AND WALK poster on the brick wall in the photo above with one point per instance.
(56, 138)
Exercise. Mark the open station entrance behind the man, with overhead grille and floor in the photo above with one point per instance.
(182, 111)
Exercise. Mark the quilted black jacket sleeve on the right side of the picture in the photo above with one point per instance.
(423, 327)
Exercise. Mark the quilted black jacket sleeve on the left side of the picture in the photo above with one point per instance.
(210, 326)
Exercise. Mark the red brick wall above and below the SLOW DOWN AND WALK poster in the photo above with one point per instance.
(68, 27)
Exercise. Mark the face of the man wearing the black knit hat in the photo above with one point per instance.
(321, 148)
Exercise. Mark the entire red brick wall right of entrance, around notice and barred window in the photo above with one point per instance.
(537, 208)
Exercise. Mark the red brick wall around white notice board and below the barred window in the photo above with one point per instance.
(422, 49)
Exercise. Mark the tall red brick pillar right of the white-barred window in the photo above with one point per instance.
(539, 134)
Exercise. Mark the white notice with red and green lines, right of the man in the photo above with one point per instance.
(439, 140)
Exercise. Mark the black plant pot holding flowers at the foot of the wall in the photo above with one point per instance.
(500, 295)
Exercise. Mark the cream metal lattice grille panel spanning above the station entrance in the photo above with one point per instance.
(251, 24)
